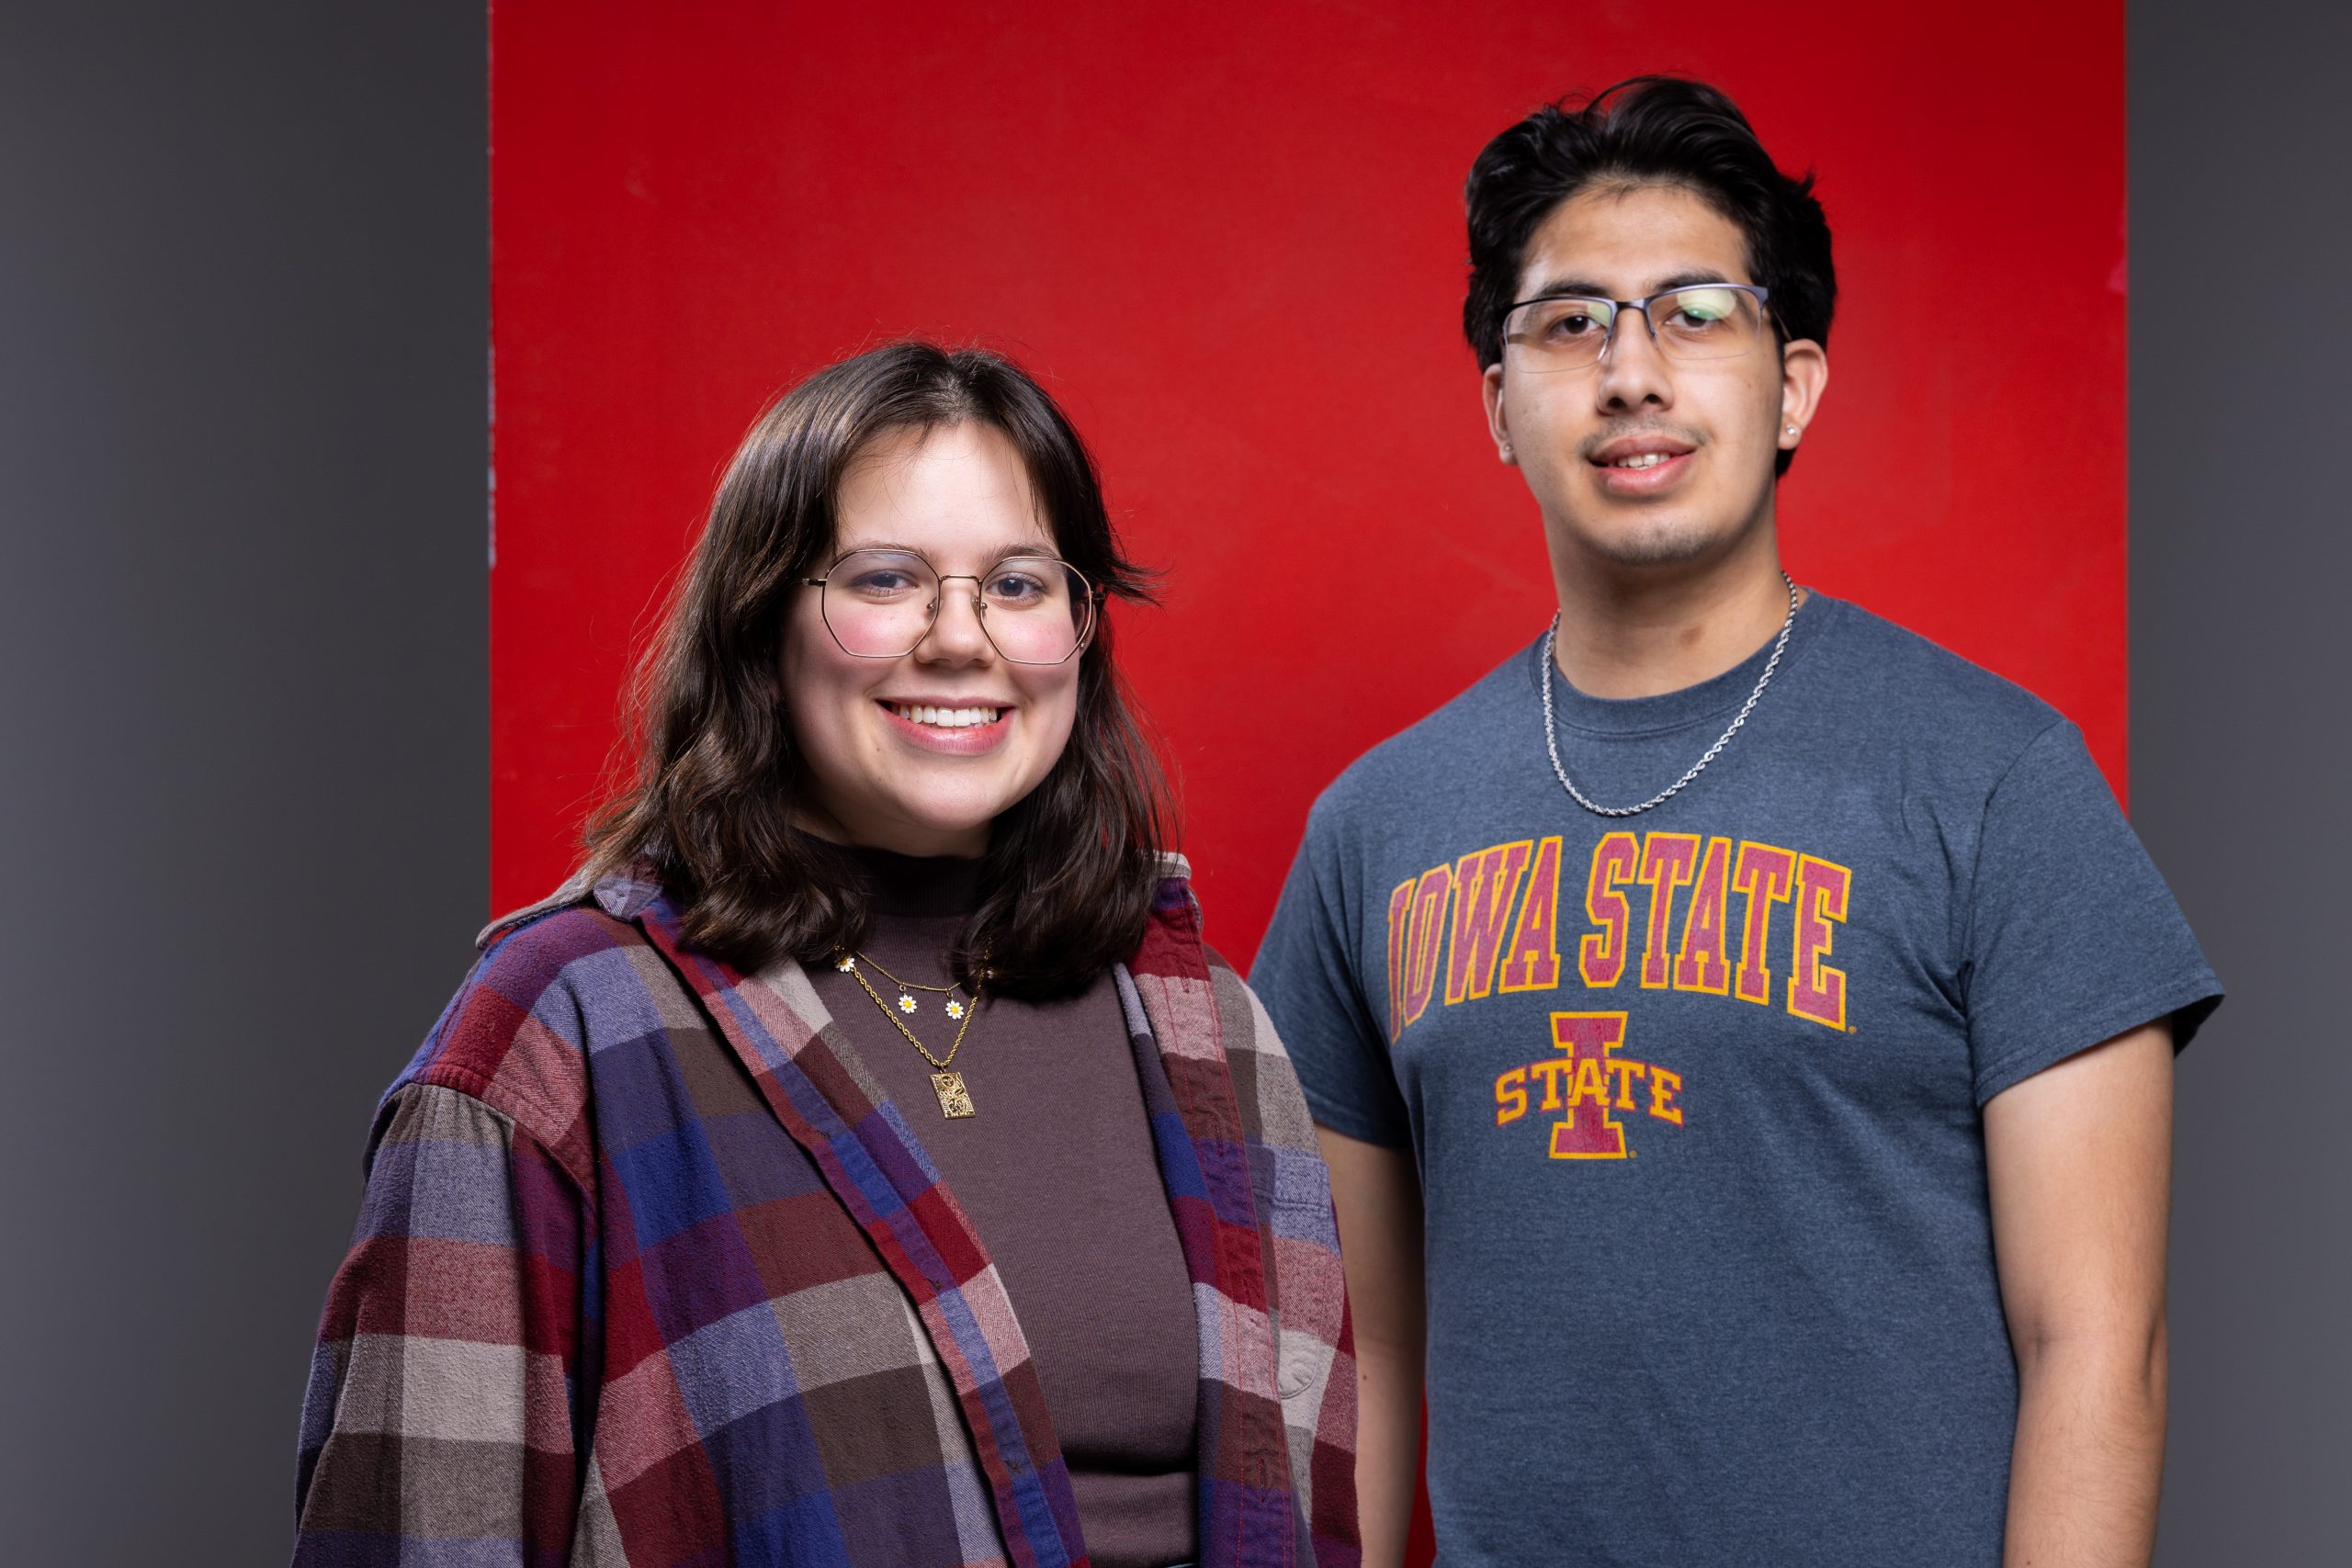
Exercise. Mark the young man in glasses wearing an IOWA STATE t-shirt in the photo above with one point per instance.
(1742, 1031)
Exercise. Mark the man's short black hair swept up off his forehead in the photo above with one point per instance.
(1652, 130)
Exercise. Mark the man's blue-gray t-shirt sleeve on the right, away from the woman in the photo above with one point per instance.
(2073, 934)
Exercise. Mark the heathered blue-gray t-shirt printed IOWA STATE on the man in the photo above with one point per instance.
(1697, 1094)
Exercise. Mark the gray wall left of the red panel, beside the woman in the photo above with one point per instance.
(243, 643)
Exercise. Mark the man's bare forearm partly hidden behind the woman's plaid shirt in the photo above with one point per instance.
(1377, 1200)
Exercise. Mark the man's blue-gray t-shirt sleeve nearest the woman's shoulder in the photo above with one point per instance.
(1311, 986)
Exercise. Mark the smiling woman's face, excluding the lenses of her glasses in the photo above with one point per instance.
(883, 772)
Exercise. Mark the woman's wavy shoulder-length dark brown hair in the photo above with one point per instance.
(1071, 869)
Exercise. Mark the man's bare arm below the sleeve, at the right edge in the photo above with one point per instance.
(2080, 1172)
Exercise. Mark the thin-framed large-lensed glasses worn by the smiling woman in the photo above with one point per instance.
(1036, 610)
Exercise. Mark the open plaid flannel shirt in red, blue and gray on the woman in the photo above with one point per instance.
(653, 1273)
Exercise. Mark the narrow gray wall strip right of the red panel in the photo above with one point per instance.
(2240, 570)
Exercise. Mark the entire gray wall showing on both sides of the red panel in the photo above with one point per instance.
(243, 692)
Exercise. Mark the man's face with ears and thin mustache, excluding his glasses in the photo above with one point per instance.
(1641, 460)
